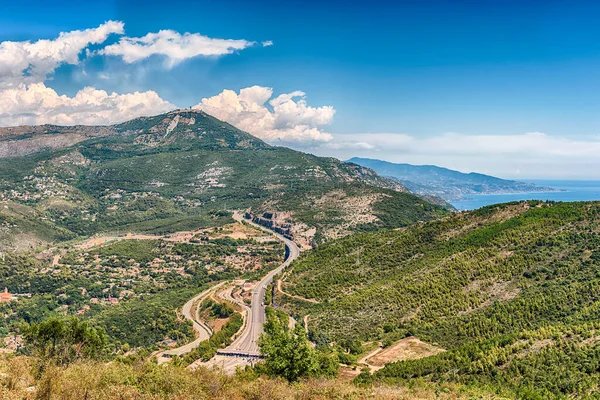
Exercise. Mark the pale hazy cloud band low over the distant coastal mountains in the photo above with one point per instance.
(528, 155)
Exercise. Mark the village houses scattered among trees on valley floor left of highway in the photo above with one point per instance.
(104, 272)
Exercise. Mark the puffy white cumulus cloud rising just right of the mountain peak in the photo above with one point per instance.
(286, 119)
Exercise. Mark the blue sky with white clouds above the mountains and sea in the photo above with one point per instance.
(508, 88)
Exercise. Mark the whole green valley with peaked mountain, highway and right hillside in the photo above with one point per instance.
(140, 232)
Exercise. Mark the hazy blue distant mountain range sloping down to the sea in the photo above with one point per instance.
(446, 183)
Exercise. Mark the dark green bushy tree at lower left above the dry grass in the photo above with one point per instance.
(64, 340)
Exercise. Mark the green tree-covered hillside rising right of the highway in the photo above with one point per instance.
(511, 292)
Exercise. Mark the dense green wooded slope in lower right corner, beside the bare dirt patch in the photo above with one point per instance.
(555, 362)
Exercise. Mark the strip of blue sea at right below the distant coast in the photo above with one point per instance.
(573, 191)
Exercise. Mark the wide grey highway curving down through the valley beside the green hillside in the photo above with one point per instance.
(247, 342)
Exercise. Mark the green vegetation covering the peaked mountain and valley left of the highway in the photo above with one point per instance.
(142, 180)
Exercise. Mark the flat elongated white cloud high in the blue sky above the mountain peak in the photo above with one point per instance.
(174, 46)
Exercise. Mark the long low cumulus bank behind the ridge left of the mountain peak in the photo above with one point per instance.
(37, 104)
